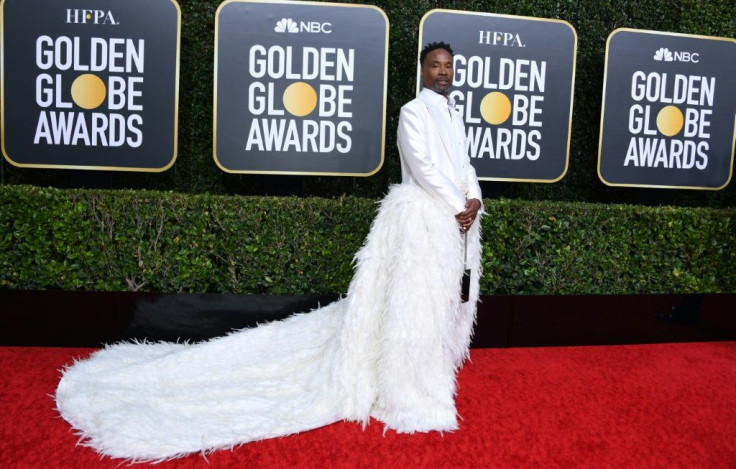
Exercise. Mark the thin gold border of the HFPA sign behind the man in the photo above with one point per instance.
(572, 81)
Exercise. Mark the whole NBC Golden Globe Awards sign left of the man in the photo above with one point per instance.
(300, 88)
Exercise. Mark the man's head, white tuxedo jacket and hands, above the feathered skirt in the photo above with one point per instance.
(431, 140)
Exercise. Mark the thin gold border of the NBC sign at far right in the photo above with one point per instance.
(603, 113)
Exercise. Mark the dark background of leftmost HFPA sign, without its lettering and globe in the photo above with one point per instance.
(155, 21)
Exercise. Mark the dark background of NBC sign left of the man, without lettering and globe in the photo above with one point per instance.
(243, 24)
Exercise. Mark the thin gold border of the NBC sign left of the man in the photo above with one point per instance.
(300, 173)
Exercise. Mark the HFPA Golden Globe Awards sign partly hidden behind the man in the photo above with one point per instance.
(513, 85)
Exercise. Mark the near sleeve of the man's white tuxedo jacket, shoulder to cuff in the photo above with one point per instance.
(414, 151)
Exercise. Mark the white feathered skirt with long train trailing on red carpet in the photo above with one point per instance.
(389, 349)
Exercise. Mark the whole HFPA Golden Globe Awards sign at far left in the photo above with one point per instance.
(90, 84)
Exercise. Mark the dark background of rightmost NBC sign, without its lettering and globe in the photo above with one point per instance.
(630, 51)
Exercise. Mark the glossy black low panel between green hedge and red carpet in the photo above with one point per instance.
(73, 319)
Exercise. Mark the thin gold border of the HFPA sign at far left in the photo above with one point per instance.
(104, 168)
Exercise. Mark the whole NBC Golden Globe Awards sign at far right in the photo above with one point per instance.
(669, 110)
